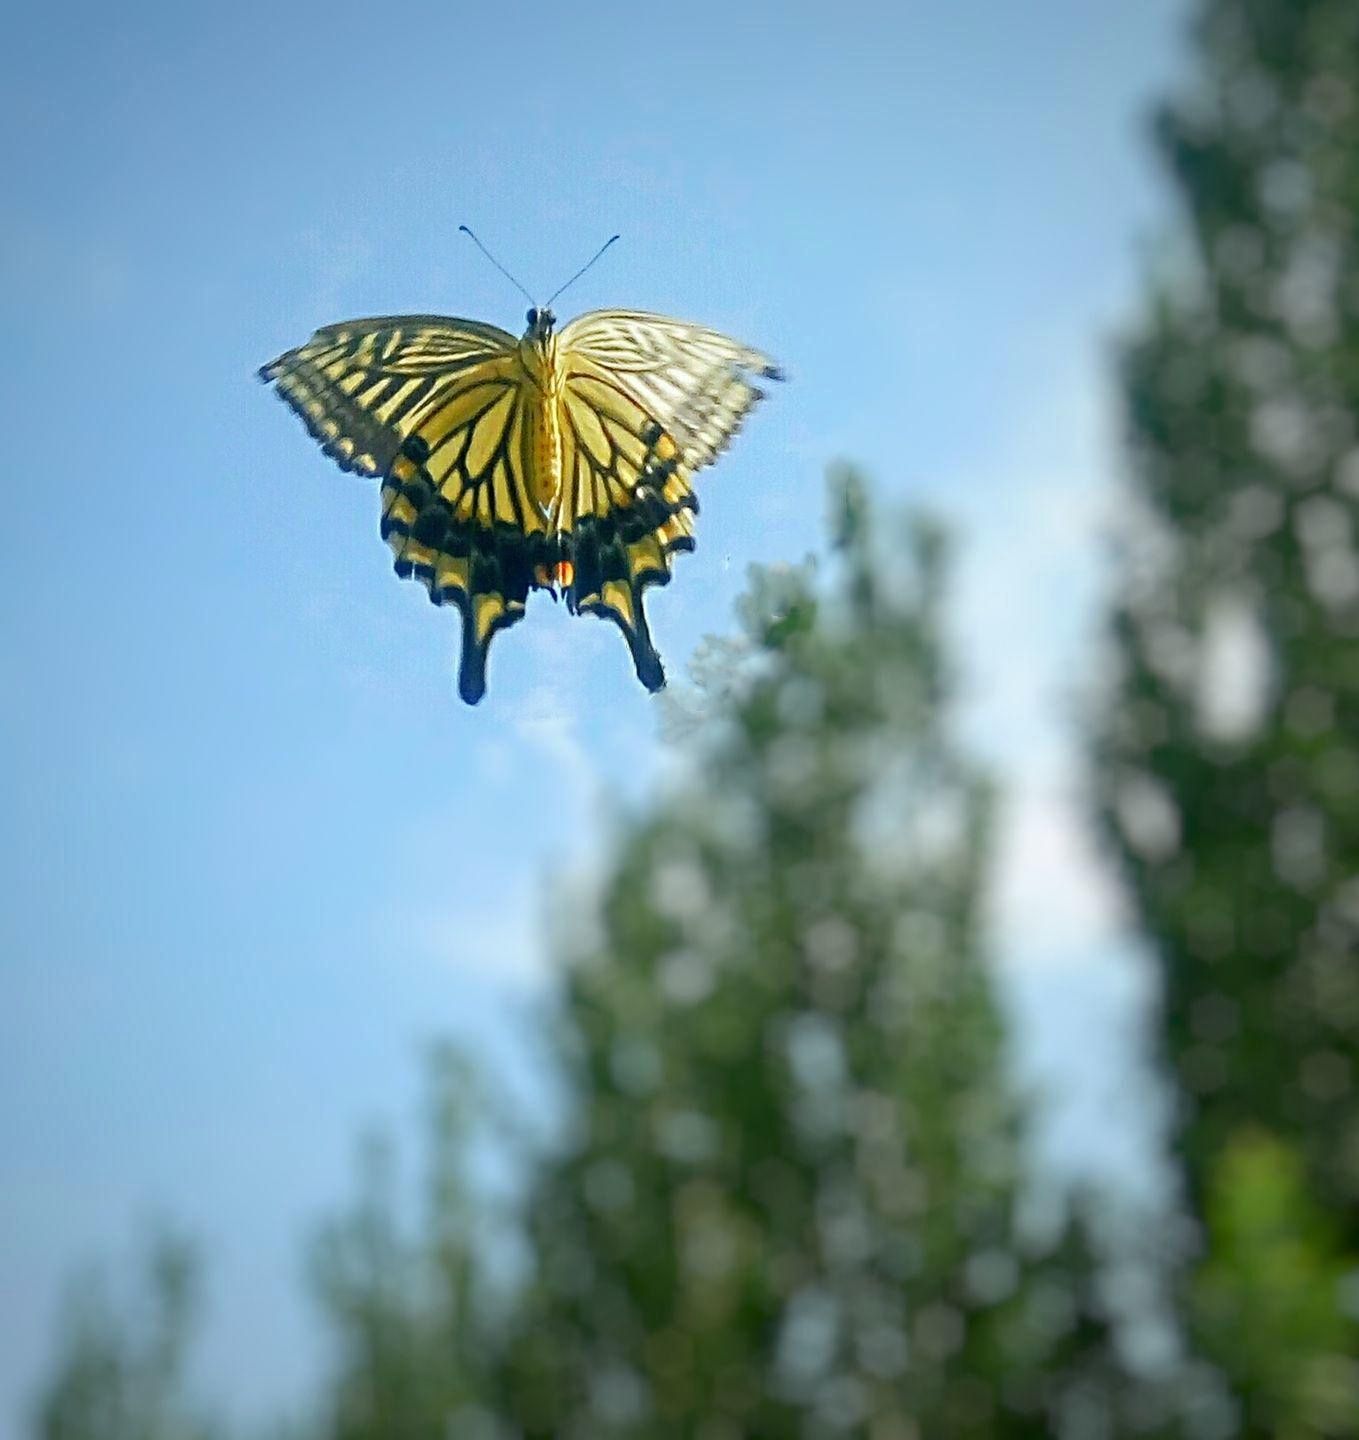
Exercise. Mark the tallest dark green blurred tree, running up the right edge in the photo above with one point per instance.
(1230, 755)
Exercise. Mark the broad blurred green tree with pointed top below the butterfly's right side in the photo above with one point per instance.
(787, 1200)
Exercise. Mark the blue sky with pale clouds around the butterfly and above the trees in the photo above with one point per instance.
(256, 853)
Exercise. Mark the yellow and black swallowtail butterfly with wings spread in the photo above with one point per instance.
(558, 462)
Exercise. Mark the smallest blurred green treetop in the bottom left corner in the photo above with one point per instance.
(119, 1374)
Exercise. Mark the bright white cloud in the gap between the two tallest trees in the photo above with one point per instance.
(1029, 598)
